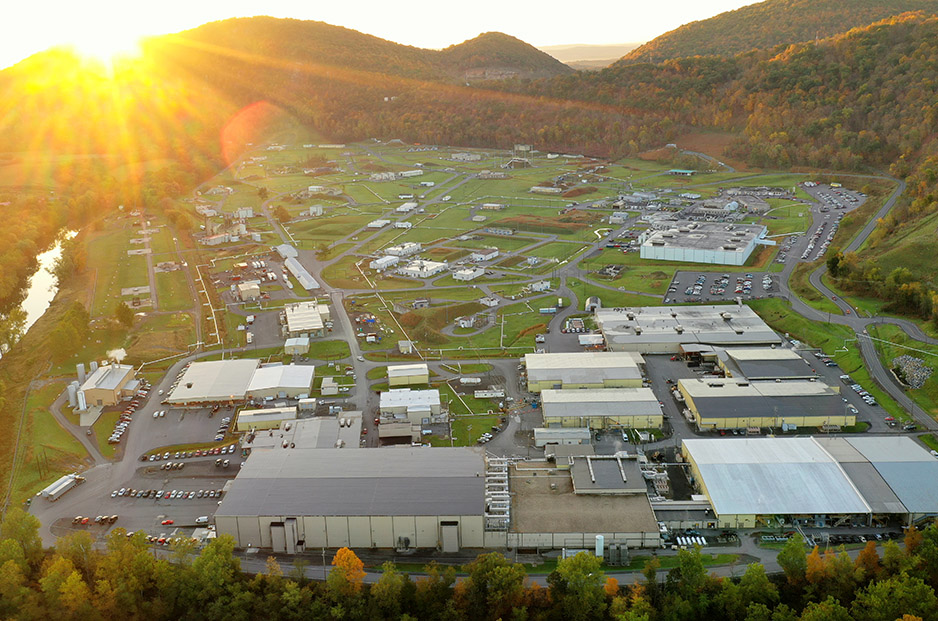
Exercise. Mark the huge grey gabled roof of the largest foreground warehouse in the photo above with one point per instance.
(376, 482)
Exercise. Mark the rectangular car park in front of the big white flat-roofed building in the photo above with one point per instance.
(702, 287)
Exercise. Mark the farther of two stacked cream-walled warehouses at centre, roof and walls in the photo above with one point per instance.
(583, 370)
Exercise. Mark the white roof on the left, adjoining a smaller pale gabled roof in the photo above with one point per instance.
(216, 380)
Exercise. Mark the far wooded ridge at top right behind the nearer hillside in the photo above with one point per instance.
(770, 23)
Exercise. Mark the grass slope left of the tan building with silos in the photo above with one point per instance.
(46, 450)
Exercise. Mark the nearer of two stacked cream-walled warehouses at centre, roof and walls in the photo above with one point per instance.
(600, 409)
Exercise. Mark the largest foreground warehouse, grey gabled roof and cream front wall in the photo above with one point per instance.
(296, 499)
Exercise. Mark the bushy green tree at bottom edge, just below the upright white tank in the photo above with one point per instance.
(576, 587)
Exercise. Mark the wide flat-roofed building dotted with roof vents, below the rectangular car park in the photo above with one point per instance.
(663, 329)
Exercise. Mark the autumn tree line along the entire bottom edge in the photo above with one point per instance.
(77, 580)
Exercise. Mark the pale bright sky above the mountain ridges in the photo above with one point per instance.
(29, 26)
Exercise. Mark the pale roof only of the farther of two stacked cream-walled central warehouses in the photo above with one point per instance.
(582, 367)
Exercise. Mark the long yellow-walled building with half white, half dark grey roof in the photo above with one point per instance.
(719, 403)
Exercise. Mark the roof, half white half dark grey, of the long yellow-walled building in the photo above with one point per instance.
(740, 398)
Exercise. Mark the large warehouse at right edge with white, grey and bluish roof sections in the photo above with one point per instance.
(819, 482)
